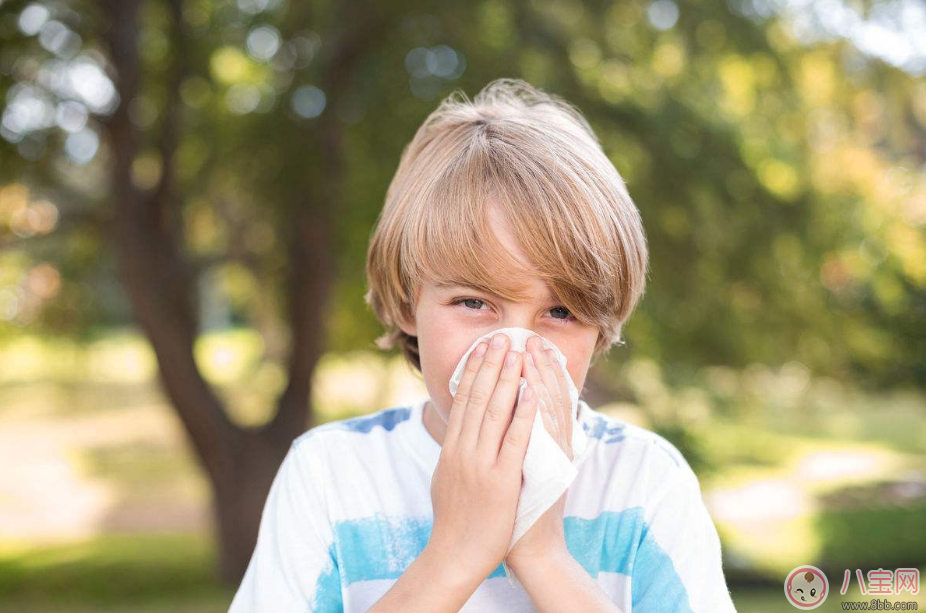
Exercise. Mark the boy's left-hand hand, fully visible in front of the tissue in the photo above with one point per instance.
(477, 482)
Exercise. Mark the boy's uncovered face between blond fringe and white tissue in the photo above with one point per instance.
(446, 330)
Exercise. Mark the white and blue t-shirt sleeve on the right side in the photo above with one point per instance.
(678, 565)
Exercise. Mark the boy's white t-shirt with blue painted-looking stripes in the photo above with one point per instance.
(350, 509)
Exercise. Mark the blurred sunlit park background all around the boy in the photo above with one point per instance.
(187, 188)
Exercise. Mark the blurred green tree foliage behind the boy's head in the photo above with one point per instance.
(776, 181)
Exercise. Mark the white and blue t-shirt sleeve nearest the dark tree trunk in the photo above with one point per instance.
(293, 566)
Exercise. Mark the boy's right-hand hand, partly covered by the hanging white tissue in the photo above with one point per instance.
(546, 376)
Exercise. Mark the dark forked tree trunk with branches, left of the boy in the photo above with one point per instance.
(240, 462)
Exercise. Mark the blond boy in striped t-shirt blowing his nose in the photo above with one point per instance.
(504, 212)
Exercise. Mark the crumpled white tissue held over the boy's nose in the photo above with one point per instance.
(547, 470)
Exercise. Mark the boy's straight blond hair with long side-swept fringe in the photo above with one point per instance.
(537, 157)
